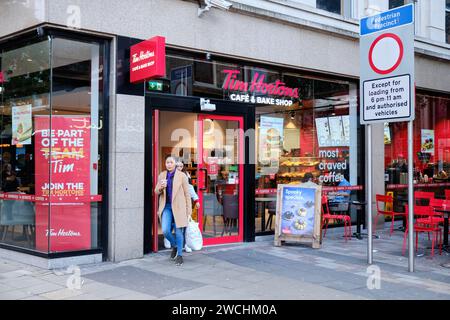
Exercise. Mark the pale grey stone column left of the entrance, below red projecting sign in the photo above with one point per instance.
(126, 178)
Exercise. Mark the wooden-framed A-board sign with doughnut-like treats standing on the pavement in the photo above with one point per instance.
(298, 214)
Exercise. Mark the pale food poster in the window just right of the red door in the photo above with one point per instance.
(270, 142)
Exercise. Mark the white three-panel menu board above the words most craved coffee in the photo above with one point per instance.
(333, 131)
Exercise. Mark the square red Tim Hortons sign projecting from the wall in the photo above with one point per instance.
(148, 60)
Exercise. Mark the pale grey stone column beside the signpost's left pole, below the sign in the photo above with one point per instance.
(378, 168)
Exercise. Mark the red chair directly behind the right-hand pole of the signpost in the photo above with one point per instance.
(426, 225)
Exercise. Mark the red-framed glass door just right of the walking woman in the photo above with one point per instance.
(220, 178)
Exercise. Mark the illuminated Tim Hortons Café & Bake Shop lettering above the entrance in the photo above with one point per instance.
(258, 90)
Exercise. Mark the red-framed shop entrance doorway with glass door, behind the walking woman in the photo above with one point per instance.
(211, 149)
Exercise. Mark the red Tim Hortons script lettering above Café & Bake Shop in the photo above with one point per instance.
(257, 85)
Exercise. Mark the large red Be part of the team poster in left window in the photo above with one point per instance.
(63, 177)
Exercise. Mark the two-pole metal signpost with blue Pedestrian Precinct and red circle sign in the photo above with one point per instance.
(387, 90)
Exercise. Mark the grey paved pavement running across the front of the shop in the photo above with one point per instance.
(246, 271)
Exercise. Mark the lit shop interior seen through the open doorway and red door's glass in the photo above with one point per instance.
(178, 137)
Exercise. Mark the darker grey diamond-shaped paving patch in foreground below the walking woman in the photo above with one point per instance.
(144, 281)
